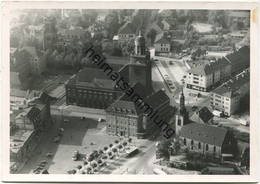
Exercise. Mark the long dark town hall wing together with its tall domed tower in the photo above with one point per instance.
(91, 87)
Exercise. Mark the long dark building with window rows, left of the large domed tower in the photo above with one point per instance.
(91, 88)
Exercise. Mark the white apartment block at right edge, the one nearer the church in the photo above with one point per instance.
(226, 98)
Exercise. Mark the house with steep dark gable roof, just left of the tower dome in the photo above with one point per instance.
(126, 32)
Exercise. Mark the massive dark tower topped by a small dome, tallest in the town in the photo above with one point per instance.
(140, 64)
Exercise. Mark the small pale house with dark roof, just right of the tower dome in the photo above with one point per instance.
(162, 44)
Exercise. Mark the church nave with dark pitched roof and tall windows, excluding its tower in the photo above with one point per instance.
(207, 140)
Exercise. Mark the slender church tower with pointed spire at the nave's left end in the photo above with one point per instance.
(182, 117)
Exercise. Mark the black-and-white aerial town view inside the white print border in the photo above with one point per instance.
(130, 92)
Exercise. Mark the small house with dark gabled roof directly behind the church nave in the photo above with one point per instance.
(202, 115)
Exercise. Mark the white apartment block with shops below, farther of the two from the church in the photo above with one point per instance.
(203, 76)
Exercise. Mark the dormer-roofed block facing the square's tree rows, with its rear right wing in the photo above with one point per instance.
(126, 117)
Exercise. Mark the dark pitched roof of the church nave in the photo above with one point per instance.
(204, 133)
